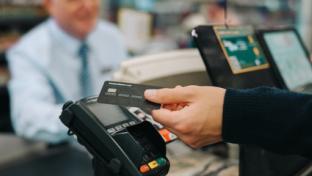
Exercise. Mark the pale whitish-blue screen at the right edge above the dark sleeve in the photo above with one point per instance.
(290, 58)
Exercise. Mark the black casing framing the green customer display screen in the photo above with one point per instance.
(200, 38)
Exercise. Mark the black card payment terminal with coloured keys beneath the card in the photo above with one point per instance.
(120, 143)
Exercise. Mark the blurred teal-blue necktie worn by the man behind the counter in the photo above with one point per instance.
(85, 80)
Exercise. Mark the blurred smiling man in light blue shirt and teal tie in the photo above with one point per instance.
(65, 58)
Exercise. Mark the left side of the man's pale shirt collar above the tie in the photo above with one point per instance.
(65, 39)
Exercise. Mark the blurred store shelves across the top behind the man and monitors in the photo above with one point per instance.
(164, 24)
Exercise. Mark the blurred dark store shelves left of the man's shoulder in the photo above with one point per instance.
(16, 18)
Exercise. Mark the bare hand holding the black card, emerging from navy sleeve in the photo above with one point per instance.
(193, 113)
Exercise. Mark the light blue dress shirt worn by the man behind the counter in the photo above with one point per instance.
(45, 68)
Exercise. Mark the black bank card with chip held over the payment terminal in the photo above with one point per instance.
(127, 94)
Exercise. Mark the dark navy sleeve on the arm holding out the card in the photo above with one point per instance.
(274, 119)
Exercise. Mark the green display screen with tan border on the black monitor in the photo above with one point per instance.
(241, 48)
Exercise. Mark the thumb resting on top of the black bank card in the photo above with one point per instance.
(167, 96)
